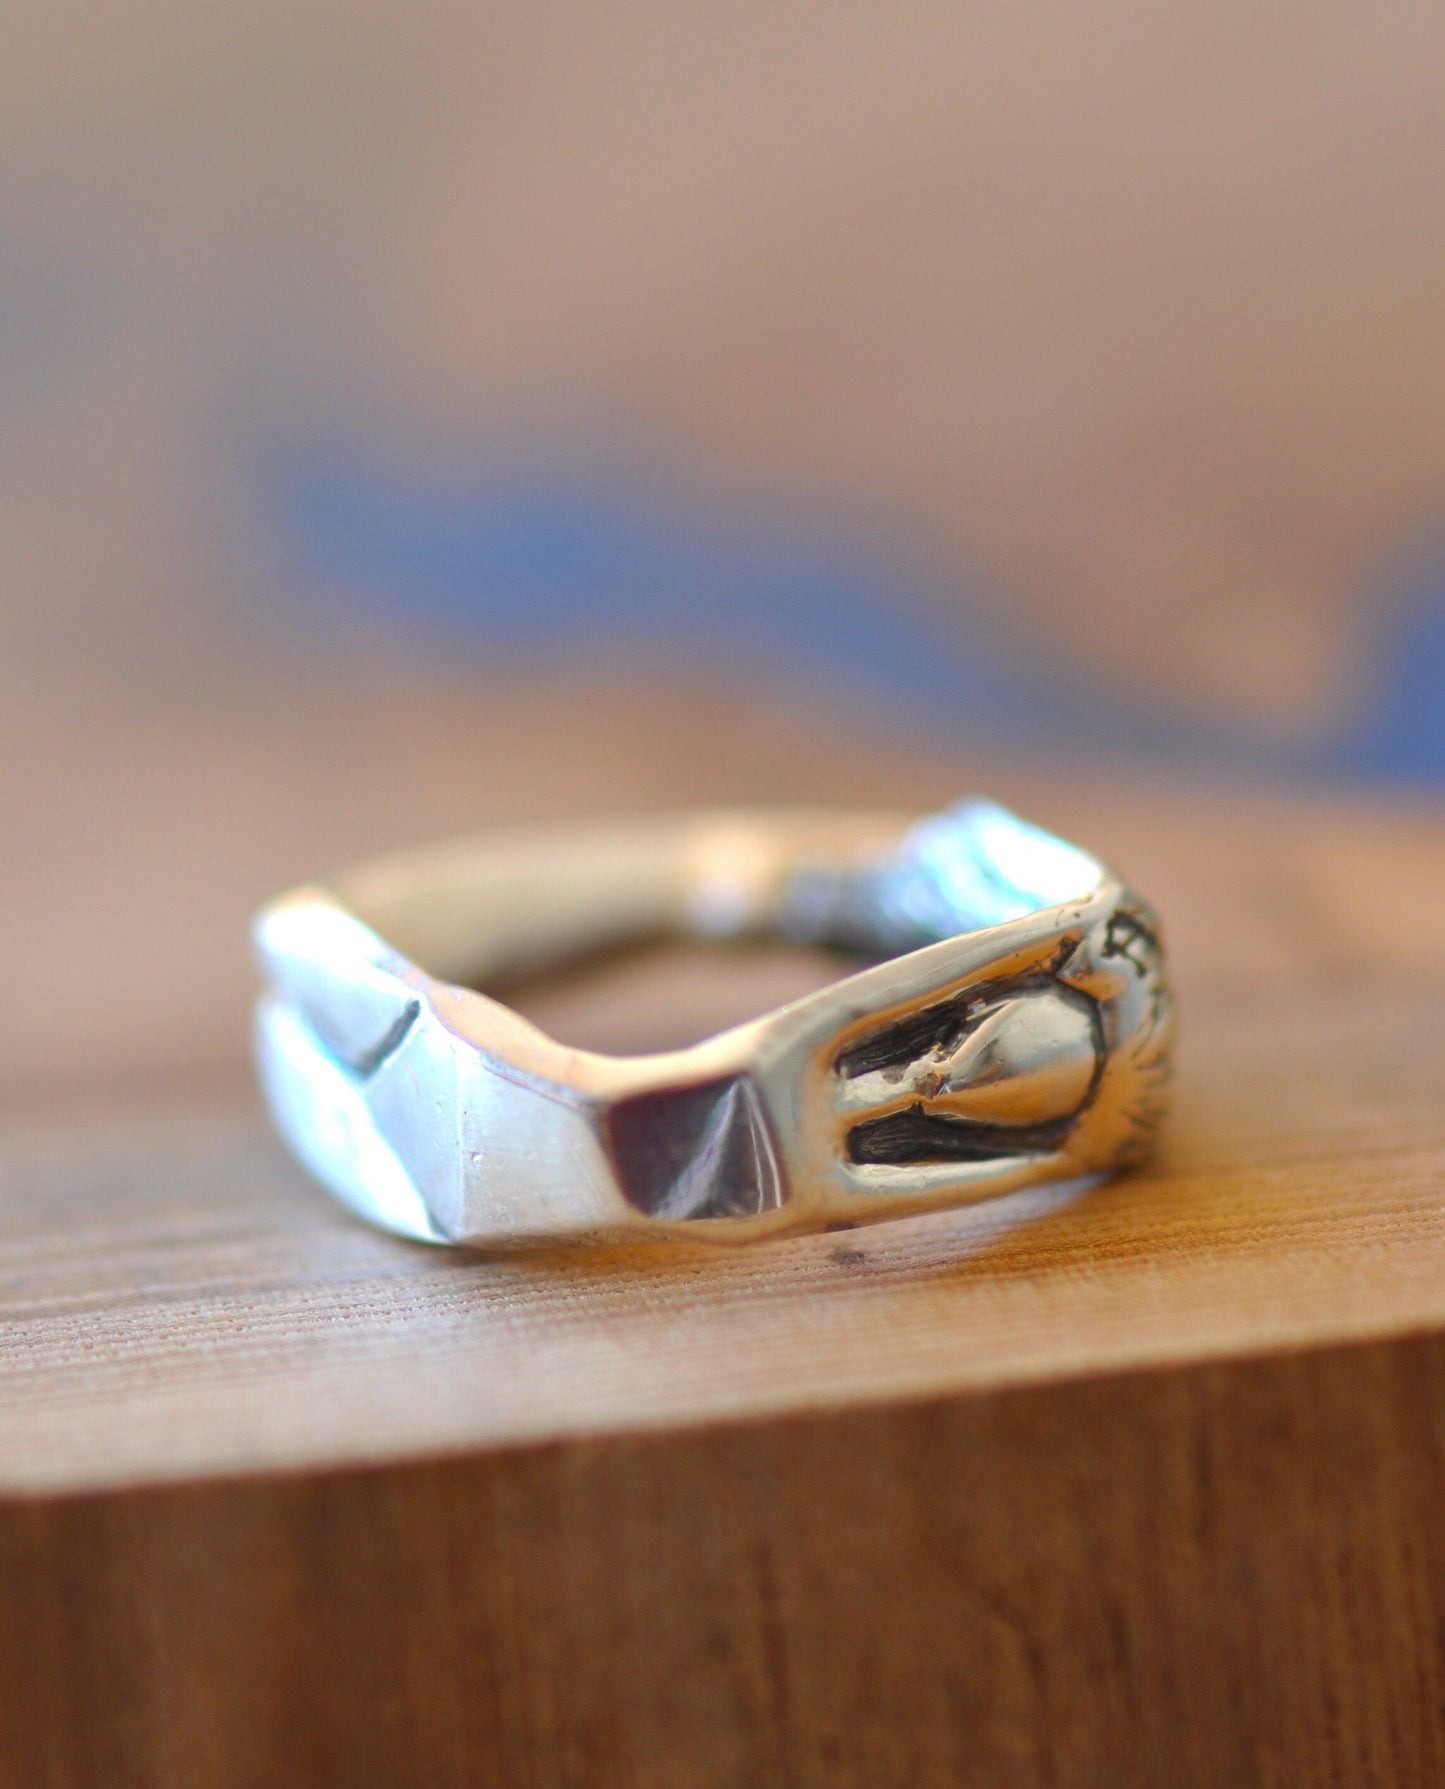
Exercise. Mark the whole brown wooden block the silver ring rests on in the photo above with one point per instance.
(1131, 1488)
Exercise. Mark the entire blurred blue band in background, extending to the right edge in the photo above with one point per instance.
(541, 566)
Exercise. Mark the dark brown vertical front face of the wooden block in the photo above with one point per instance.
(1206, 1575)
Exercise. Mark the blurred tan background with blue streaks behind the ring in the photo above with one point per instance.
(421, 416)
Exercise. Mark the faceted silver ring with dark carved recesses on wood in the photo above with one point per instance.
(1013, 1026)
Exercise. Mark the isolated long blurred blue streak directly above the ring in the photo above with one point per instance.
(534, 568)
